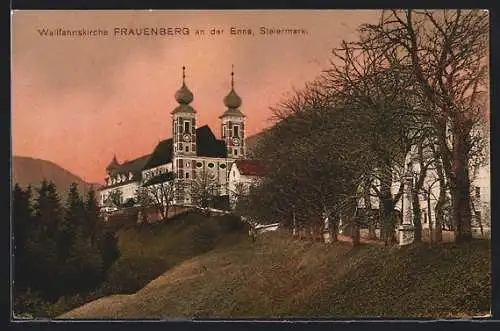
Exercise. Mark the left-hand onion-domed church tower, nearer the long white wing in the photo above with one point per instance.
(184, 122)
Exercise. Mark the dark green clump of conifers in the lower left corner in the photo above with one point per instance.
(58, 250)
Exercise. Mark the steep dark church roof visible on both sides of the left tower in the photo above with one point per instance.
(207, 145)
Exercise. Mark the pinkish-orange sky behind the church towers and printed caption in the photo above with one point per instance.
(78, 100)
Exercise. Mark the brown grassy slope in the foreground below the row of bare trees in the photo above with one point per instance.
(278, 276)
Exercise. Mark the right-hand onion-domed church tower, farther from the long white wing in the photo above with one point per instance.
(233, 124)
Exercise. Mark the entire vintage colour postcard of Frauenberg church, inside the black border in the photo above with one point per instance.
(250, 164)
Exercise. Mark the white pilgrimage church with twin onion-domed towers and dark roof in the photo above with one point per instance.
(189, 153)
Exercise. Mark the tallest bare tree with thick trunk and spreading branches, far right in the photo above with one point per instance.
(447, 52)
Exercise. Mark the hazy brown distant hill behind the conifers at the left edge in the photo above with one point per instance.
(29, 171)
